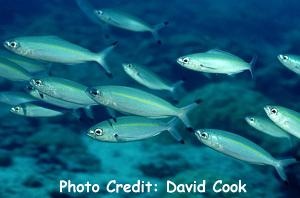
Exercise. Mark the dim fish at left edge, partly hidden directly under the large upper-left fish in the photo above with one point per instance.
(32, 66)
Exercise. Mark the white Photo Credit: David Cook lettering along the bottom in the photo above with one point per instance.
(145, 187)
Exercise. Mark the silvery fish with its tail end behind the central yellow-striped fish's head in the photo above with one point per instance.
(63, 89)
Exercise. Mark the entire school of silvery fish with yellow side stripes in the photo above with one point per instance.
(28, 59)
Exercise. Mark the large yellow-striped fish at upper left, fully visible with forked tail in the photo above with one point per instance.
(55, 49)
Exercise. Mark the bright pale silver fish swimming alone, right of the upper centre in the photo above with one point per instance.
(217, 62)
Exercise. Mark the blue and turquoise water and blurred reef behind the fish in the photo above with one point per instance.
(35, 153)
